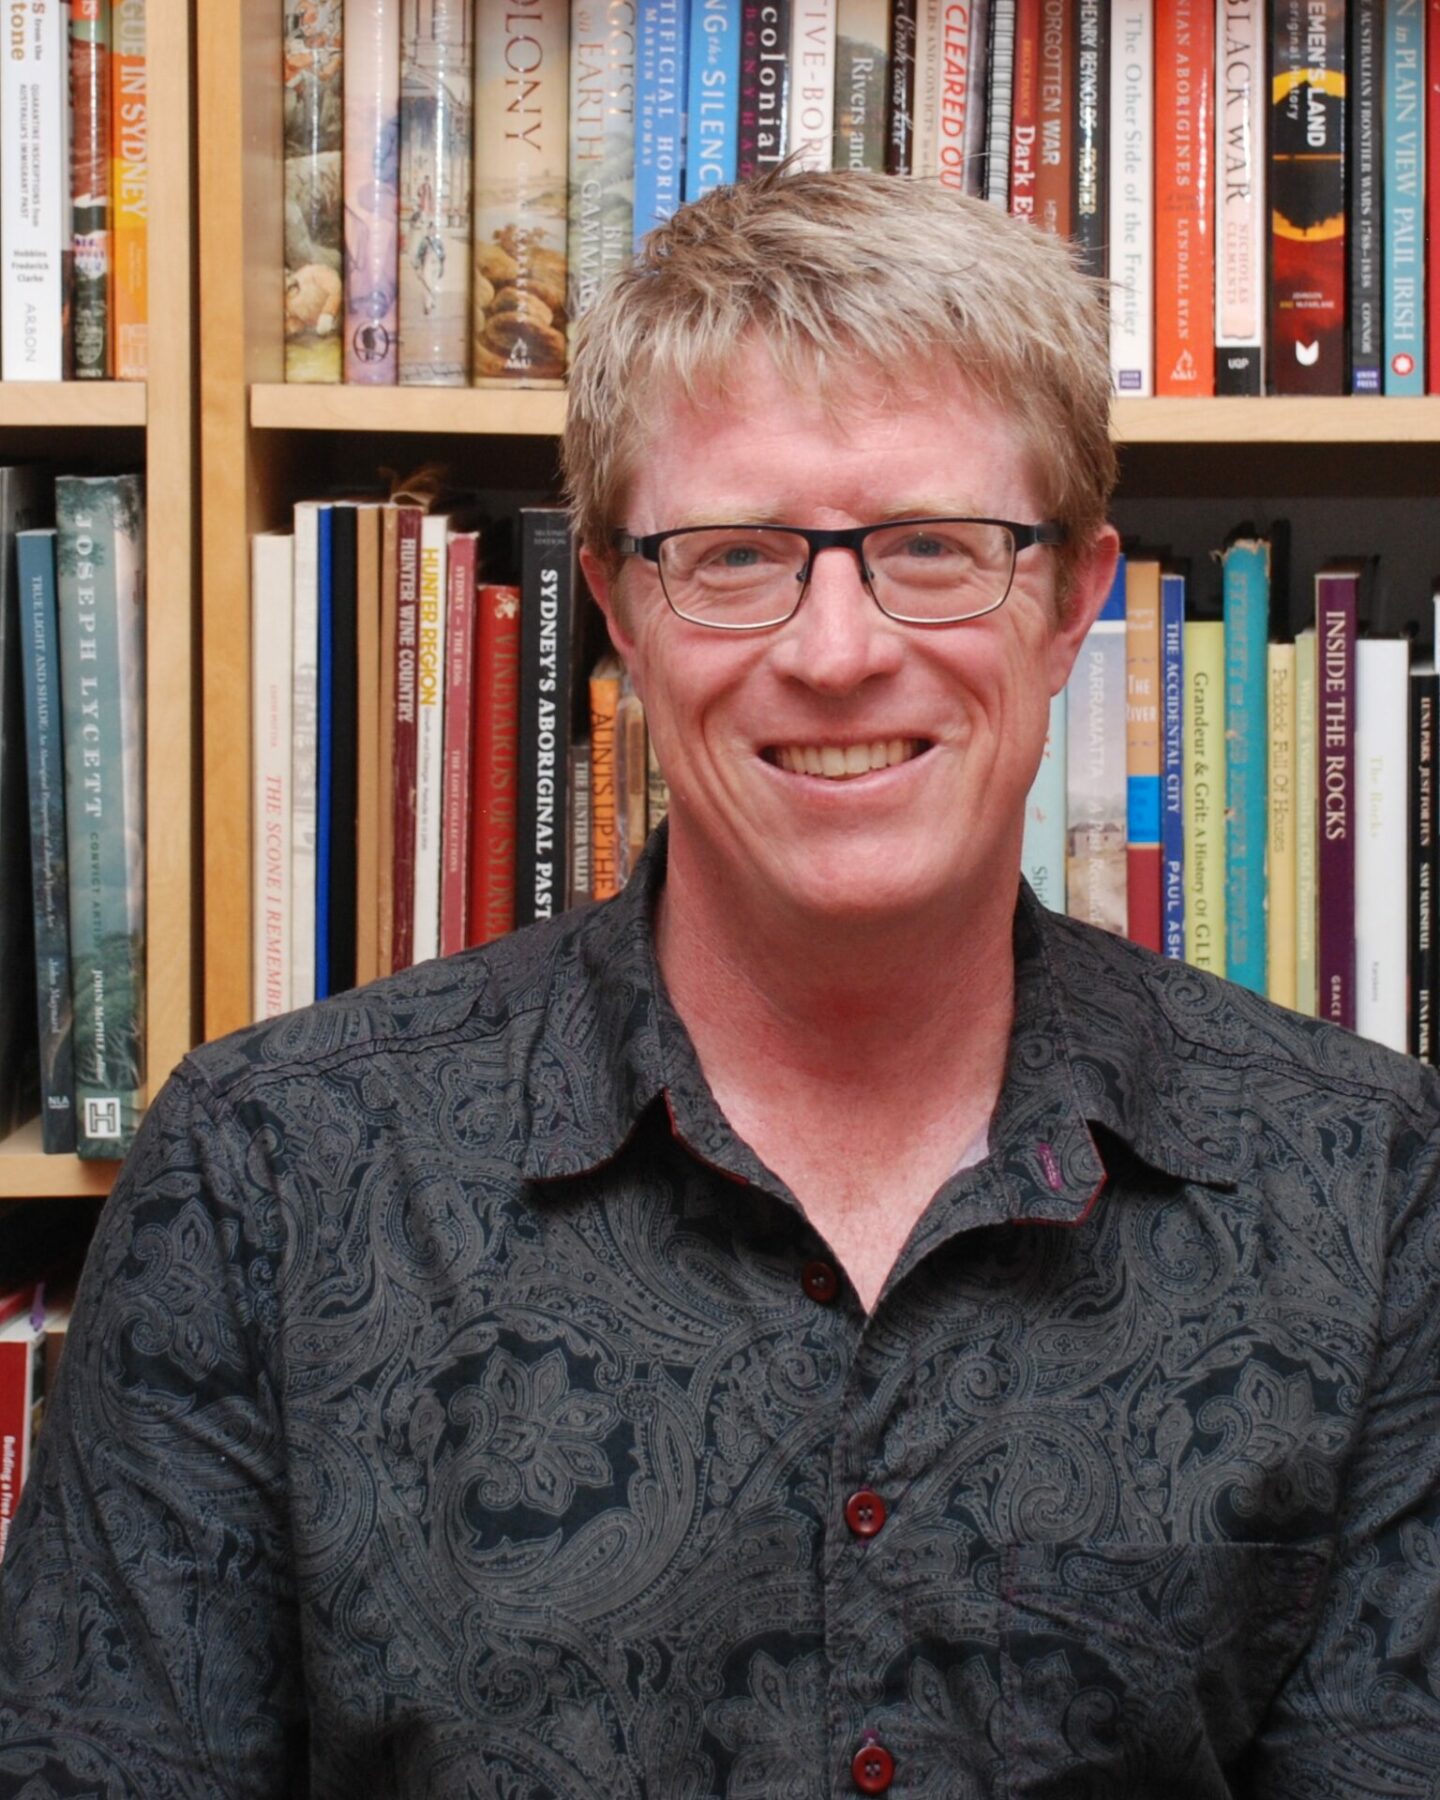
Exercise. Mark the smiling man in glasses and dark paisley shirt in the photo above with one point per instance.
(816, 1324)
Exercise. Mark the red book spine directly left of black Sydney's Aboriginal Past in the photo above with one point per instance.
(498, 739)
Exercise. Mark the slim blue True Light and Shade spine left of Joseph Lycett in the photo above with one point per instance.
(49, 881)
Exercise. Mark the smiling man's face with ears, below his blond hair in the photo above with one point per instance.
(735, 719)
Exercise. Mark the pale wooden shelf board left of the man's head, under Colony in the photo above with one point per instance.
(476, 411)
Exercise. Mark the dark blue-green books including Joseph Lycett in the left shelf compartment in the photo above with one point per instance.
(73, 858)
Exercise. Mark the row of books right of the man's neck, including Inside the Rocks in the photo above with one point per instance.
(1268, 809)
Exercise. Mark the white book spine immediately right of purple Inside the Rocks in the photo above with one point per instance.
(1381, 841)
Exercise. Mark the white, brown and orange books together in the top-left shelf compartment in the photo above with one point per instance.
(75, 192)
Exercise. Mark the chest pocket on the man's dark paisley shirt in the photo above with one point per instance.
(1146, 1669)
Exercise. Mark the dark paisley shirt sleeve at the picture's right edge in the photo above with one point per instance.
(1360, 1716)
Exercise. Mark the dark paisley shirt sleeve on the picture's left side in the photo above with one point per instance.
(148, 1628)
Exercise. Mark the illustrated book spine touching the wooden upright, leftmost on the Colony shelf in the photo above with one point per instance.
(314, 147)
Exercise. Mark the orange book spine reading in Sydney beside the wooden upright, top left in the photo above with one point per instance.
(130, 193)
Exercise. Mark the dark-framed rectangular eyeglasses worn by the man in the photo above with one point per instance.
(919, 571)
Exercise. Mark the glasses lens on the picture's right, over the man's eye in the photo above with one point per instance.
(942, 570)
